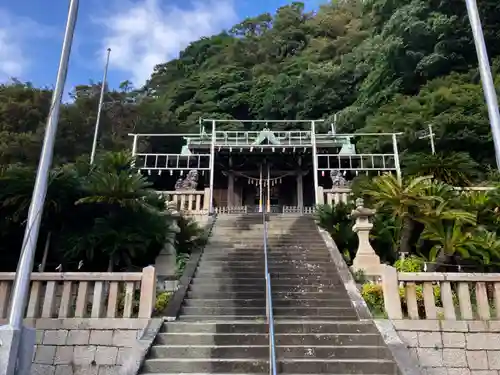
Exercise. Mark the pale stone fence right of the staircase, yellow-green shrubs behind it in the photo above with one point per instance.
(433, 295)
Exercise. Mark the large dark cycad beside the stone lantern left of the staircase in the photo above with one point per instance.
(127, 218)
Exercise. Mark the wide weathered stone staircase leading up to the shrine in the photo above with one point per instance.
(222, 326)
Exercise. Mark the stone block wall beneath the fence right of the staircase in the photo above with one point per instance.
(453, 347)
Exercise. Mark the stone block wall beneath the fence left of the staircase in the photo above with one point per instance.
(84, 346)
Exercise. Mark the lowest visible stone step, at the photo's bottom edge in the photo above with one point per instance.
(289, 366)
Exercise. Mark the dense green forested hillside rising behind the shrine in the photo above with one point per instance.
(382, 65)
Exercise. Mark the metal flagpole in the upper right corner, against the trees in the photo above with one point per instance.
(486, 76)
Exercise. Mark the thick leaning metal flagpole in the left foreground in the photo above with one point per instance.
(25, 265)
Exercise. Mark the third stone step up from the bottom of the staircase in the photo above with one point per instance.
(288, 339)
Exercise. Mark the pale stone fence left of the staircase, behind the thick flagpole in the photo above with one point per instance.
(85, 295)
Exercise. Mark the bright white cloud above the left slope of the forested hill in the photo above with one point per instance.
(144, 33)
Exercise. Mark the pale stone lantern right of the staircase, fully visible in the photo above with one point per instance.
(366, 259)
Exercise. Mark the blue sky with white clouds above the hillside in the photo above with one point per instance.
(141, 34)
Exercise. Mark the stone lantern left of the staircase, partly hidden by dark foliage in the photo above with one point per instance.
(166, 261)
